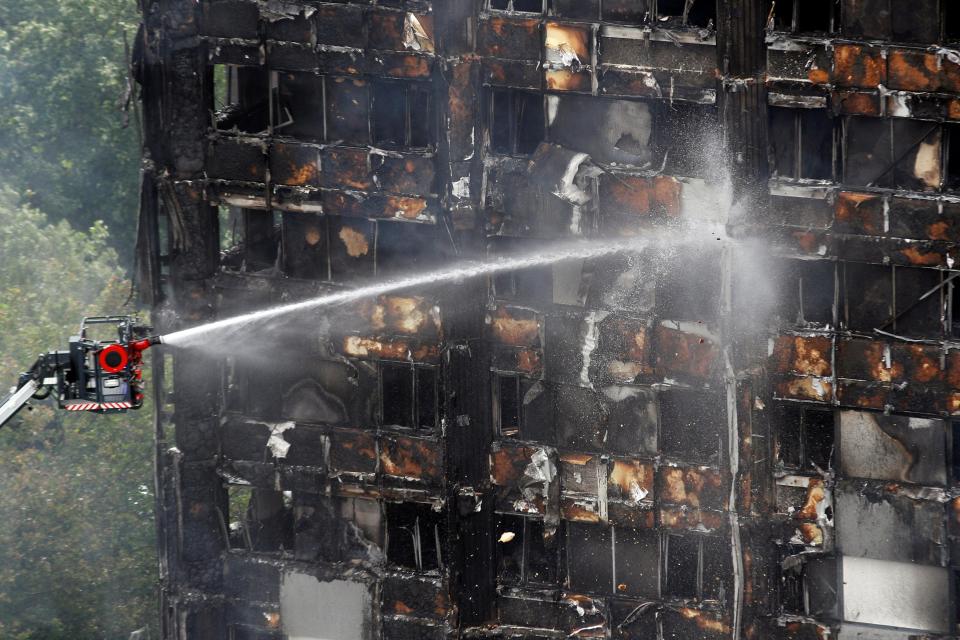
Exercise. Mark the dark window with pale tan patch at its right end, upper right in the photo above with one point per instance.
(894, 153)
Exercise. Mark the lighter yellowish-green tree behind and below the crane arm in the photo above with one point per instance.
(77, 542)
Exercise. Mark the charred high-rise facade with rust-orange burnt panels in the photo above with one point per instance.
(752, 440)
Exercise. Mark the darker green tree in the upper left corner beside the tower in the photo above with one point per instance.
(63, 144)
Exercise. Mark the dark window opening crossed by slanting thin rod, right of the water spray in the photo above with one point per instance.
(916, 315)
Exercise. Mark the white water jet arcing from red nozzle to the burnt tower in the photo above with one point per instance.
(546, 256)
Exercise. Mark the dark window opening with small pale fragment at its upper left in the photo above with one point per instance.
(523, 556)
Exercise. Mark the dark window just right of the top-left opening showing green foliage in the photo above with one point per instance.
(299, 106)
